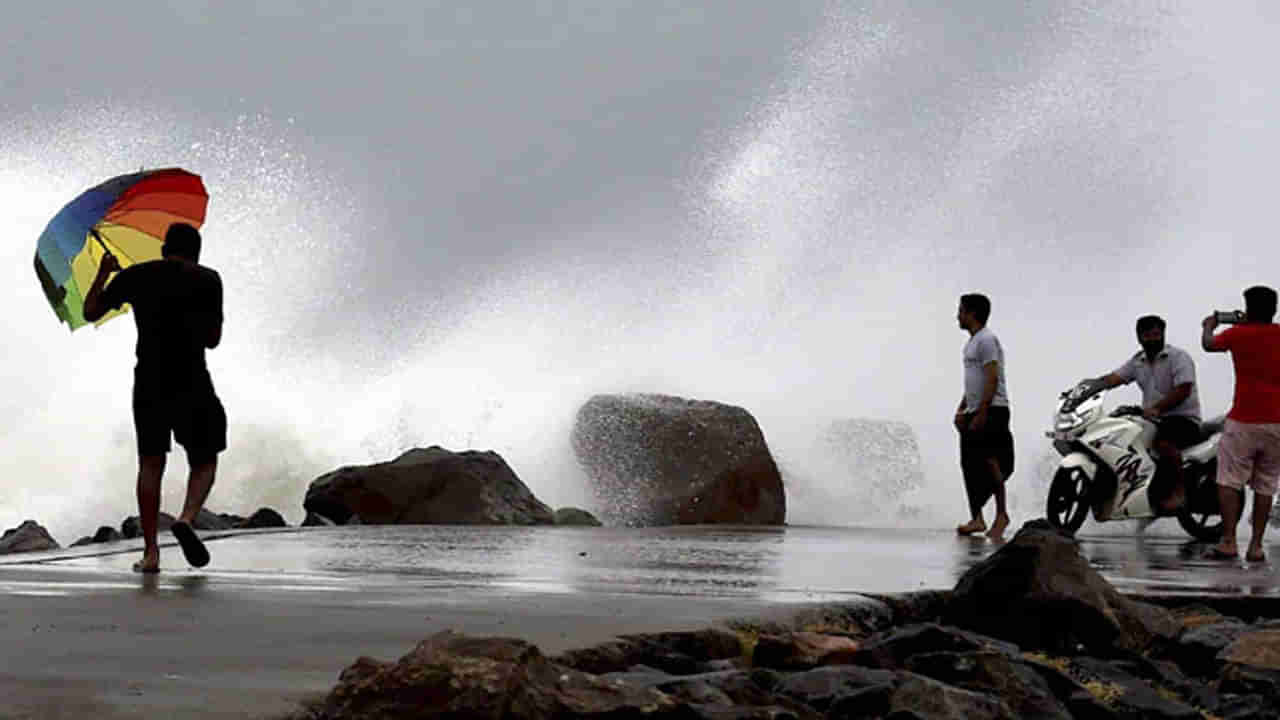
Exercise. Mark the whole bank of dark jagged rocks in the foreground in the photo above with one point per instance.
(1030, 632)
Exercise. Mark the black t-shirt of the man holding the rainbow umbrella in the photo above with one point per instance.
(176, 306)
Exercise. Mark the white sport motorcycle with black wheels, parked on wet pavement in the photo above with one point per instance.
(1108, 467)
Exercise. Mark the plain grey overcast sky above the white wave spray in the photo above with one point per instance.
(478, 127)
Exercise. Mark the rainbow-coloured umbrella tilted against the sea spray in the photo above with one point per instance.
(127, 216)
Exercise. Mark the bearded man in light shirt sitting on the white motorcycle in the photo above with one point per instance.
(1167, 376)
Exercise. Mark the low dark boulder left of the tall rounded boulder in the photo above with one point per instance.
(428, 487)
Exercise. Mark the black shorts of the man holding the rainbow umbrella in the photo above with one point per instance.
(188, 409)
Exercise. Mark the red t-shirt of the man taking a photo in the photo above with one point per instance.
(1256, 356)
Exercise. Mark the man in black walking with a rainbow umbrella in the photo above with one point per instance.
(179, 308)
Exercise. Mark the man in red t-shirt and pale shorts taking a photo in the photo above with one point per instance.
(1250, 450)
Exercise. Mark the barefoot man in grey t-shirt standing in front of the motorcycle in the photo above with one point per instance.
(982, 418)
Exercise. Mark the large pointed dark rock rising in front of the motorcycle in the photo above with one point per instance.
(1040, 593)
